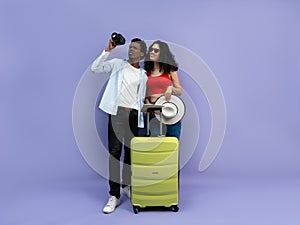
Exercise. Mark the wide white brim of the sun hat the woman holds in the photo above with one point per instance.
(179, 104)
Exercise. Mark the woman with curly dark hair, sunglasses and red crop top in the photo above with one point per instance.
(163, 79)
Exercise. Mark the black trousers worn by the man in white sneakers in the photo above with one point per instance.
(121, 129)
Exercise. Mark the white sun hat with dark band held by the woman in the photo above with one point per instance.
(172, 110)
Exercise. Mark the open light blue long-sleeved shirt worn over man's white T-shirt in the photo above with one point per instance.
(109, 101)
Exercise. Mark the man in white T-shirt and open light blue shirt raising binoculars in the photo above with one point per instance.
(122, 100)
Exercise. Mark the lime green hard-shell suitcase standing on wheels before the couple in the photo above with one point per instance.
(154, 165)
